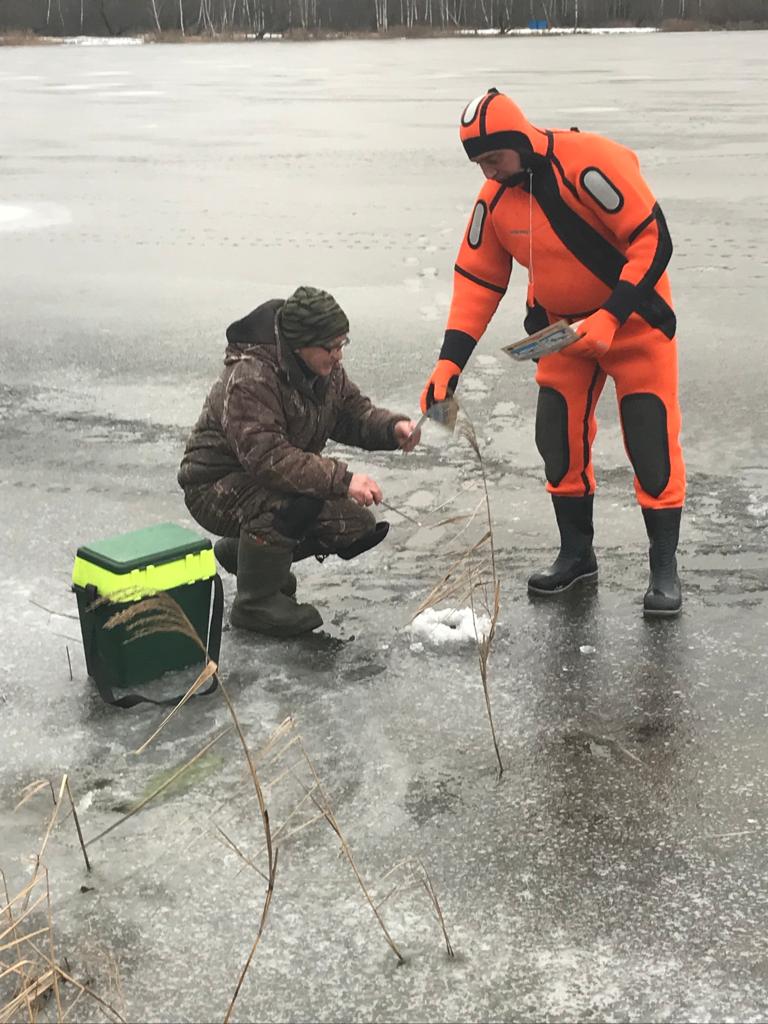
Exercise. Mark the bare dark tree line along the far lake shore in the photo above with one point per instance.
(227, 18)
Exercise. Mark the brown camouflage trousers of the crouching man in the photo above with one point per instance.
(235, 503)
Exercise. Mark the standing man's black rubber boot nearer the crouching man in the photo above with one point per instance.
(577, 560)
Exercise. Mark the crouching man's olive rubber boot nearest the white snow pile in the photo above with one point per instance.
(261, 606)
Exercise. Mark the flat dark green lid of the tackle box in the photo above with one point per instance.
(165, 542)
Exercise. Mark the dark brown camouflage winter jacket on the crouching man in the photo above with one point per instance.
(266, 416)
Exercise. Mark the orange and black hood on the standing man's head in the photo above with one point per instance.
(493, 121)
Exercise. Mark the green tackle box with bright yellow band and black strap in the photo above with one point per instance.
(112, 575)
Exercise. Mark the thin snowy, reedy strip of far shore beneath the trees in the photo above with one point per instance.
(397, 33)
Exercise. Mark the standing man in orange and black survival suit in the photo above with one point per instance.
(575, 210)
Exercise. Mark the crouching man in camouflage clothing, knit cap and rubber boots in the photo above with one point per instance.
(253, 471)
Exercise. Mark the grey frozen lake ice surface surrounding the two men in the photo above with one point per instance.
(618, 870)
